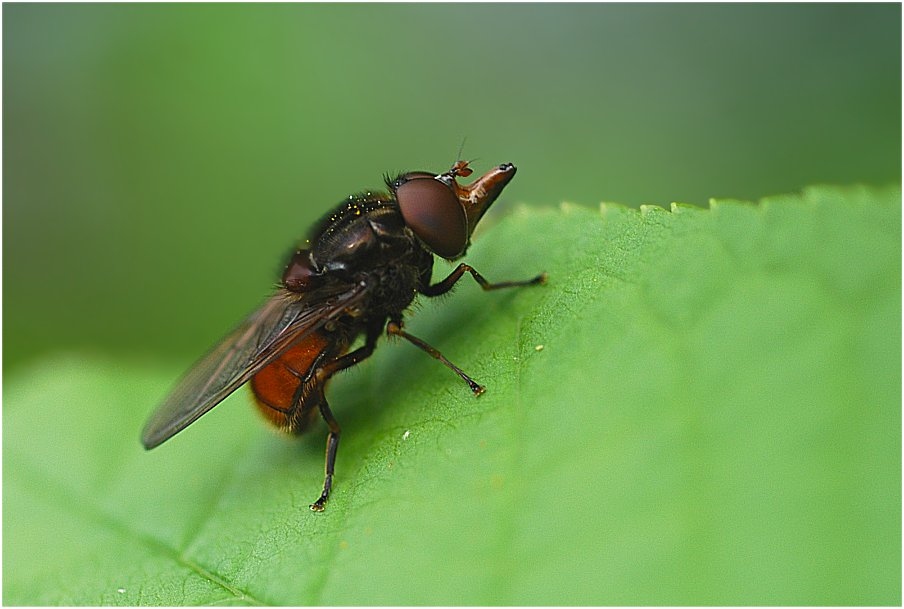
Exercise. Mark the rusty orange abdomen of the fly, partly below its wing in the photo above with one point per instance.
(286, 390)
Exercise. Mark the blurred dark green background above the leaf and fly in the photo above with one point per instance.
(159, 160)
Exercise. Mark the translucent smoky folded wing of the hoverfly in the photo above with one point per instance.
(281, 321)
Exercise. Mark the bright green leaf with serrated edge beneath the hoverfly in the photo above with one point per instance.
(702, 406)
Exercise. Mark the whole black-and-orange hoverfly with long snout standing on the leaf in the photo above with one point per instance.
(362, 266)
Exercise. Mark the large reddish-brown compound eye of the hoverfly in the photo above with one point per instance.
(432, 210)
